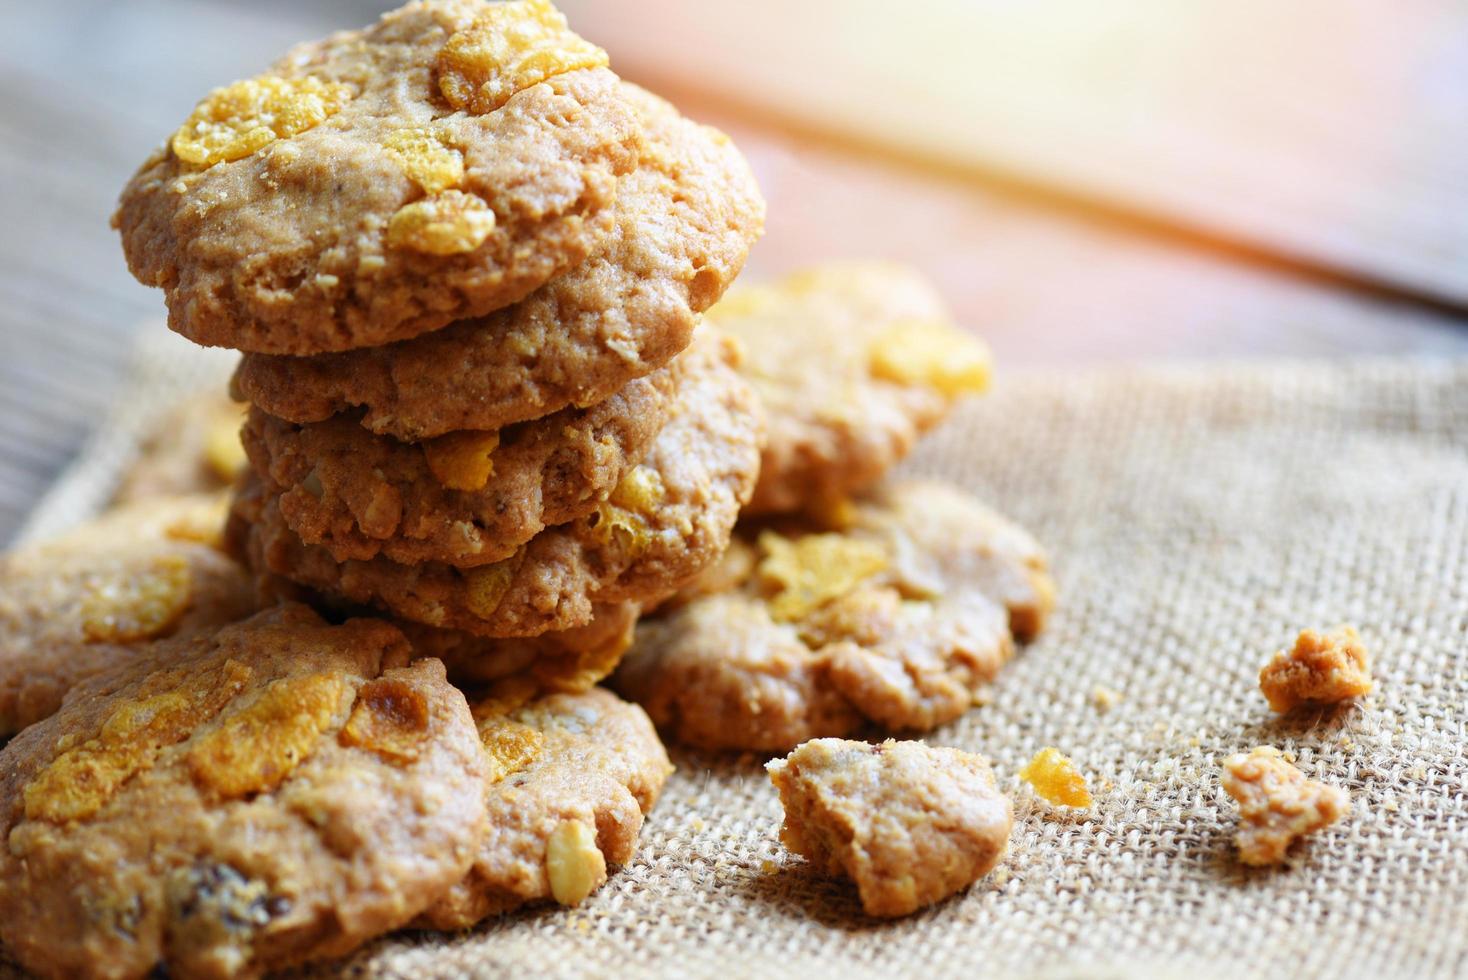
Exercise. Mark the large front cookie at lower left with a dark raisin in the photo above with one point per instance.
(272, 793)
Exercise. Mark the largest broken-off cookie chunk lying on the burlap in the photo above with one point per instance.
(908, 822)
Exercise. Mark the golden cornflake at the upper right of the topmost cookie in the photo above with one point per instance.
(510, 49)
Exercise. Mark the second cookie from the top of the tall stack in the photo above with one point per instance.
(686, 219)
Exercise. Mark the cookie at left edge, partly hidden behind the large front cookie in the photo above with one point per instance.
(99, 596)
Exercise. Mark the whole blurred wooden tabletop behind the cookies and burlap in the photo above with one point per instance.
(1087, 183)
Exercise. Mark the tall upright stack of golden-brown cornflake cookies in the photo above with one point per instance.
(465, 263)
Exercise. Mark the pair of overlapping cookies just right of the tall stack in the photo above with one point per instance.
(848, 602)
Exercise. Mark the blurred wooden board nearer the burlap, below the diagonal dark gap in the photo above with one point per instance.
(1044, 287)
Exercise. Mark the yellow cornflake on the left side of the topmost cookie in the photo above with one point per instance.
(236, 121)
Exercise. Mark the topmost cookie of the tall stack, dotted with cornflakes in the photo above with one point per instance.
(366, 190)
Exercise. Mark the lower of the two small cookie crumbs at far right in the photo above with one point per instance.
(1278, 805)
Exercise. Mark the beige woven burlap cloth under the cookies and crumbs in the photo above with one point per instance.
(1197, 520)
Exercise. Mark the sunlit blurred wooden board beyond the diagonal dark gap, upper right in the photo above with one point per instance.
(1328, 133)
